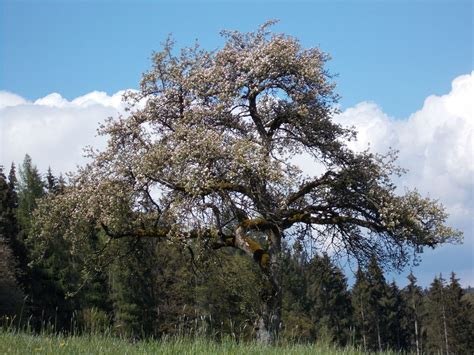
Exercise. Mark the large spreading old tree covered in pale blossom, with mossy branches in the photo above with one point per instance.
(207, 151)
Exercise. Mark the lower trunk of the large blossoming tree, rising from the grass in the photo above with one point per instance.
(268, 324)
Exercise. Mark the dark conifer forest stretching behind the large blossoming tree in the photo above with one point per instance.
(154, 288)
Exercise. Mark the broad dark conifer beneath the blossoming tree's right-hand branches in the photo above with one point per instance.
(330, 301)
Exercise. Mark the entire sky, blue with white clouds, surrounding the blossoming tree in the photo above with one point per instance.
(403, 69)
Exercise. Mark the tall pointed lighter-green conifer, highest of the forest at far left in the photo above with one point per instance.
(47, 282)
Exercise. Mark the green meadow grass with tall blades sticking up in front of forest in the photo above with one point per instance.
(19, 338)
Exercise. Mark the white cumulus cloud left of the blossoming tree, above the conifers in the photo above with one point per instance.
(53, 130)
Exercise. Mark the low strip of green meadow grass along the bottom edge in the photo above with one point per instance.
(23, 343)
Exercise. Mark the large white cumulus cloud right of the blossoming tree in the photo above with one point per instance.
(435, 144)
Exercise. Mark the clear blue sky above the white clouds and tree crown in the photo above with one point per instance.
(393, 53)
